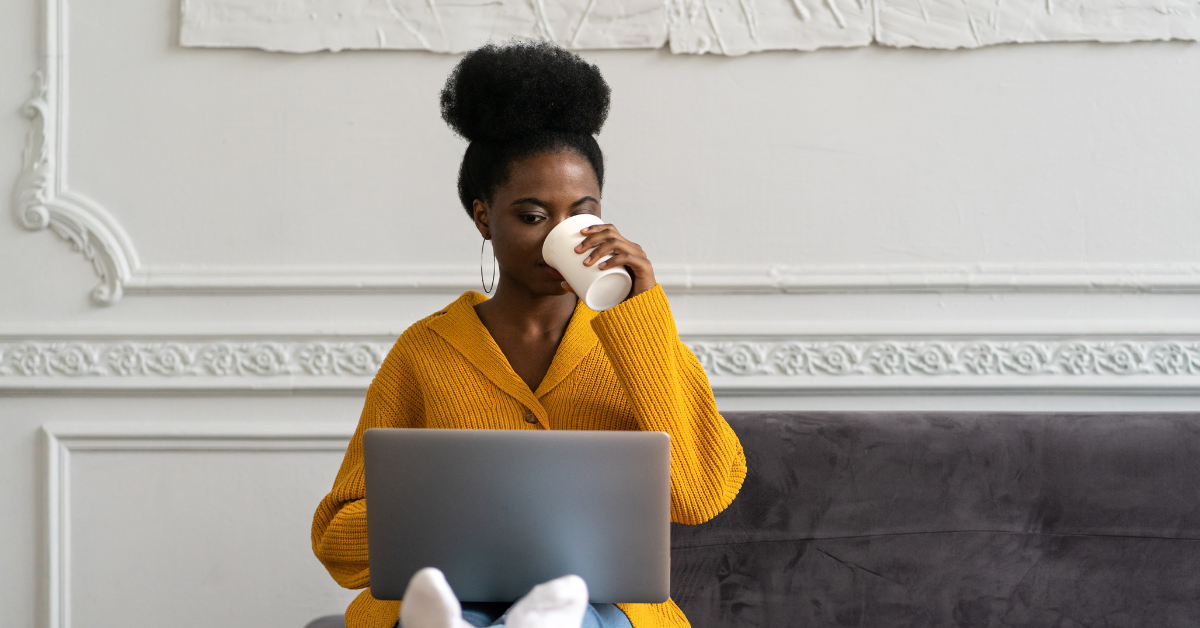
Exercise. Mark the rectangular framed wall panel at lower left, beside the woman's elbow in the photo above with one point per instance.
(189, 525)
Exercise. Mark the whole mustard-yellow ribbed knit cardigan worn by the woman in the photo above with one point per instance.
(625, 369)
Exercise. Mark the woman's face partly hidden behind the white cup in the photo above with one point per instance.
(542, 192)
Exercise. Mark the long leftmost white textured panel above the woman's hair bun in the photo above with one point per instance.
(421, 25)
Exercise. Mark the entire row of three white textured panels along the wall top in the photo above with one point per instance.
(724, 27)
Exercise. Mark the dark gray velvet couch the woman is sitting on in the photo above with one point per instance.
(952, 521)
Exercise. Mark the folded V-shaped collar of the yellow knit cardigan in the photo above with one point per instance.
(461, 327)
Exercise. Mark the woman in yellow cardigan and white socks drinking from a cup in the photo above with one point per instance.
(535, 357)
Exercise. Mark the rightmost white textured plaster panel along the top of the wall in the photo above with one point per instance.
(970, 25)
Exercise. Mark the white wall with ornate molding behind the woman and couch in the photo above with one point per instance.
(1011, 228)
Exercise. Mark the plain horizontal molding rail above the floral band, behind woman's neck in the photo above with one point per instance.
(717, 279)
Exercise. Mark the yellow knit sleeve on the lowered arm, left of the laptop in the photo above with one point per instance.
(340, 525)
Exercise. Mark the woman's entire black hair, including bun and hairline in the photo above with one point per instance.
(519, 100)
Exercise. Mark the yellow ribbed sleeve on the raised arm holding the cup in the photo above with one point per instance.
(670, 393)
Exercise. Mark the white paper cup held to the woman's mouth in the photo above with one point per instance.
(599, 289)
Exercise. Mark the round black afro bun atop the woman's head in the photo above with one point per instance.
(505, 93)
